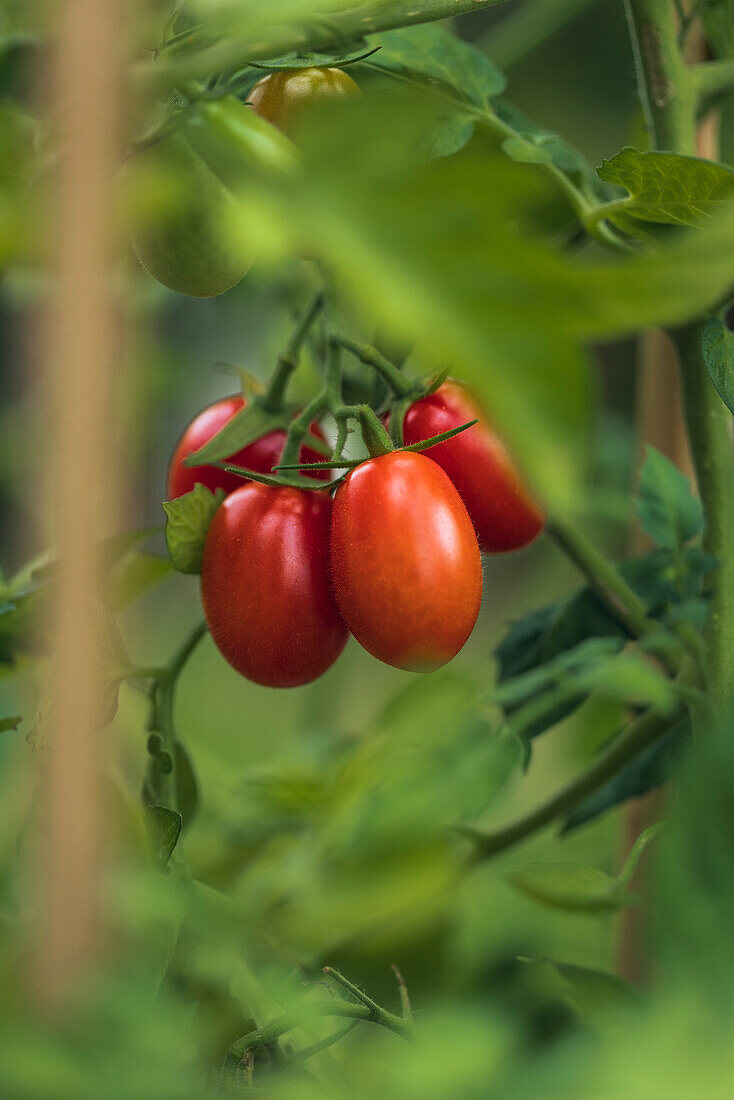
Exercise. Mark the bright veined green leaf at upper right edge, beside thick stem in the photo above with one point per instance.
(670, 189)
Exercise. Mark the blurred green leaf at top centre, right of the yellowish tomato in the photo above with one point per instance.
(430, 54)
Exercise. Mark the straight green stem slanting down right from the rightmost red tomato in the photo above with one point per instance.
(608, 584)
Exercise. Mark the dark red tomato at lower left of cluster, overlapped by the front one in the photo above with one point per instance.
(266, 586)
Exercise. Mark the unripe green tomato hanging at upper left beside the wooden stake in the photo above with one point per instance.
(190, 246)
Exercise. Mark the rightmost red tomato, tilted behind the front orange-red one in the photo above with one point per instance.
(505, 514)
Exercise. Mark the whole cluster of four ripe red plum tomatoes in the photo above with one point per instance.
(393, 558)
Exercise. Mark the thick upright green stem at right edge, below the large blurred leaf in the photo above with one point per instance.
(709, 423)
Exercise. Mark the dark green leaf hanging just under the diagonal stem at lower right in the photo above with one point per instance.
(648, 772)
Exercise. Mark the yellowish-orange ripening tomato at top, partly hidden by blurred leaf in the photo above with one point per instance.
(281, 97)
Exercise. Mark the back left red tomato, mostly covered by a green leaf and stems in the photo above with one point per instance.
(260, 456)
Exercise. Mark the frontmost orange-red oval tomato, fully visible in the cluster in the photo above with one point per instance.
(406, 565)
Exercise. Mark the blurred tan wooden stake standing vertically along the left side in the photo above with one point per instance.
(84, 96)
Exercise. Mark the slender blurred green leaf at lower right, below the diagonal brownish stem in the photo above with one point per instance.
(573, 887)
